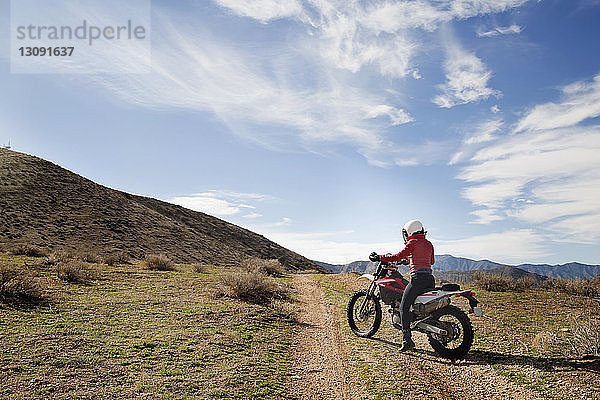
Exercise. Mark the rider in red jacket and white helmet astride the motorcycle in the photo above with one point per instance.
(419, 252)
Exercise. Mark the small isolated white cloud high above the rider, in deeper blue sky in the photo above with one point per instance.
(467, 79)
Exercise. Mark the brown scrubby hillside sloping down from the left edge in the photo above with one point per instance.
(46, 205)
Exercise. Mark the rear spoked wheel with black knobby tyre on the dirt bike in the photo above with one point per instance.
(459, 338)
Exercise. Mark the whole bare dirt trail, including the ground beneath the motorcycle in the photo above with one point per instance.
(324, 366)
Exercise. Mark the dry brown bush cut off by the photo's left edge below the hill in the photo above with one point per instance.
(18, 288)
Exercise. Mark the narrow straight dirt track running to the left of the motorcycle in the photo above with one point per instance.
(320, 354)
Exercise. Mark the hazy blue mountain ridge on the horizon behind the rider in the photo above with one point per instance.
(446, 263)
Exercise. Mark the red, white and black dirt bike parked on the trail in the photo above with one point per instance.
(448, 328)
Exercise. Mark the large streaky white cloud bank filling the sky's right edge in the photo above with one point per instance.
(546, 173)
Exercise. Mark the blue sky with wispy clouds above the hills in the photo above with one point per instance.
(325, 125)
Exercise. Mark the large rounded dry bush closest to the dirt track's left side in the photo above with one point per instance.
(253, 288)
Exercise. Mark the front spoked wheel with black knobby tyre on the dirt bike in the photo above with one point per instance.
(364, 314)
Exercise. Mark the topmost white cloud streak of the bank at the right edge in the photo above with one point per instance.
(580, 101)
